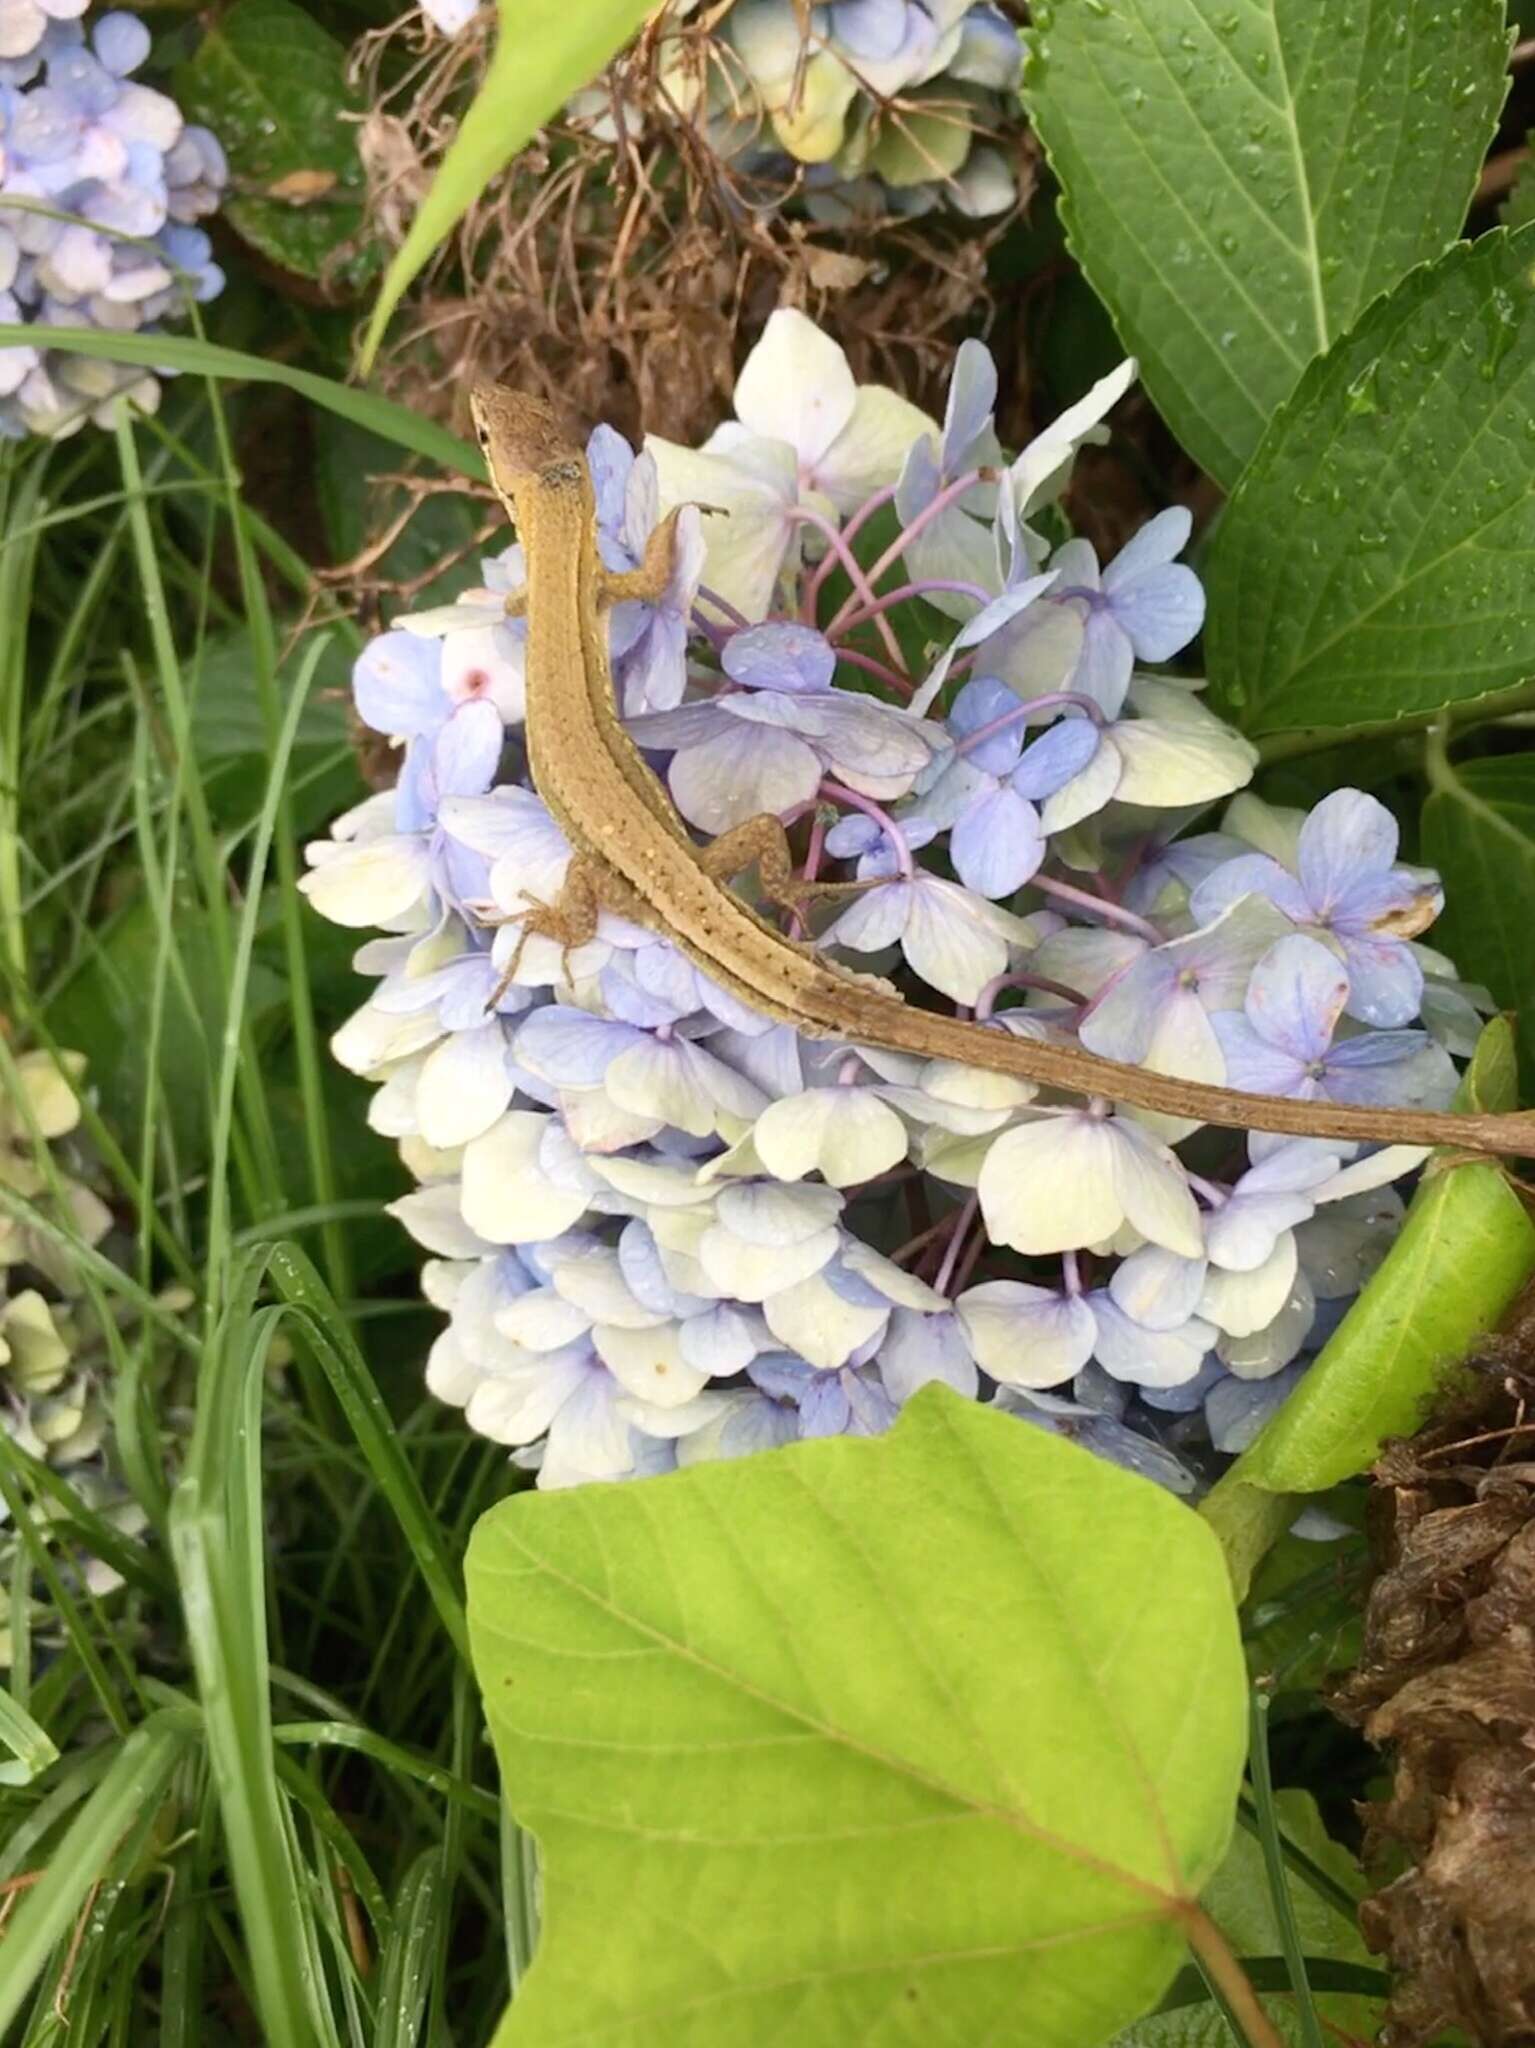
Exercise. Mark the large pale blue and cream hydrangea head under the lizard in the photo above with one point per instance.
(664, 1228)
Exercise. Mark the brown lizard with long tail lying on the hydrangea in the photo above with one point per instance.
(633, 855)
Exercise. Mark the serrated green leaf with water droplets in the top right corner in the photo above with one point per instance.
(1243, 179)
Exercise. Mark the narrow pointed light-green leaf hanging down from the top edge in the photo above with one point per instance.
(545, 52)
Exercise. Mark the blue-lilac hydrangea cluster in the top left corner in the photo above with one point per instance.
(101, 181)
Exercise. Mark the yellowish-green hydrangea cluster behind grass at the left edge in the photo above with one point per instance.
(54, 1359)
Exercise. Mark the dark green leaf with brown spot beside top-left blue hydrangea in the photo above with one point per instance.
(271, 85)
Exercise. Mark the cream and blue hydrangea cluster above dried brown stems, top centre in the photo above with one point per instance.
(875, 105)
